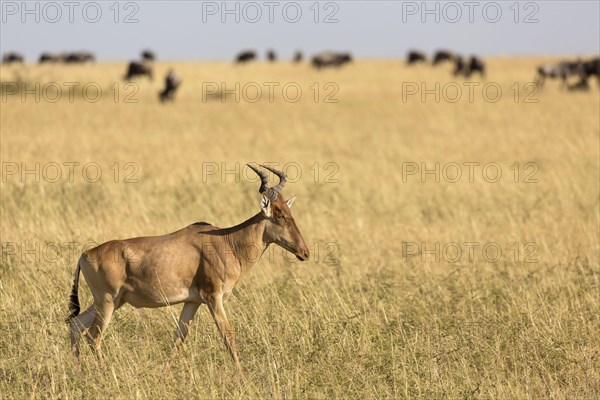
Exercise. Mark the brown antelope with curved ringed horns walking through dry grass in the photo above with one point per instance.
(197, 264)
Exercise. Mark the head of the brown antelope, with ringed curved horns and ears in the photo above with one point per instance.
(281, 227)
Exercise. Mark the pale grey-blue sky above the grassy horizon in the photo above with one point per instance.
(205, 30)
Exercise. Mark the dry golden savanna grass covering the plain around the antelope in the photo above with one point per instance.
(379, 311)
